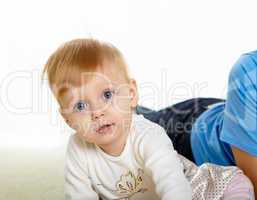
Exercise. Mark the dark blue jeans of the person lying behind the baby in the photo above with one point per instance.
(178, 119)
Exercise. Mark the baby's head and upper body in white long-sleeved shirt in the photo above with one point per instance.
(115, 153)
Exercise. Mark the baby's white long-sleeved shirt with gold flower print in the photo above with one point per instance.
(147, 169)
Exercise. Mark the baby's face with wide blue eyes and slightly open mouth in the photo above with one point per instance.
(101, 109)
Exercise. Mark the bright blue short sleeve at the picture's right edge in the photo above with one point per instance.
(239, 127)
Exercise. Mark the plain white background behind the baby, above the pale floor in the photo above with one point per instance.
(175, 50)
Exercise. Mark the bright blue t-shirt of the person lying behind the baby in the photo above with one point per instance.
(233, 123)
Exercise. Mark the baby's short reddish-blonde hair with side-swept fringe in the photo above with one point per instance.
(77, 56)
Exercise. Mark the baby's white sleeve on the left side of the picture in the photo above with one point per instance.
(77, 182)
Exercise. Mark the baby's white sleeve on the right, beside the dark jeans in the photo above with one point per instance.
(161, 162)
